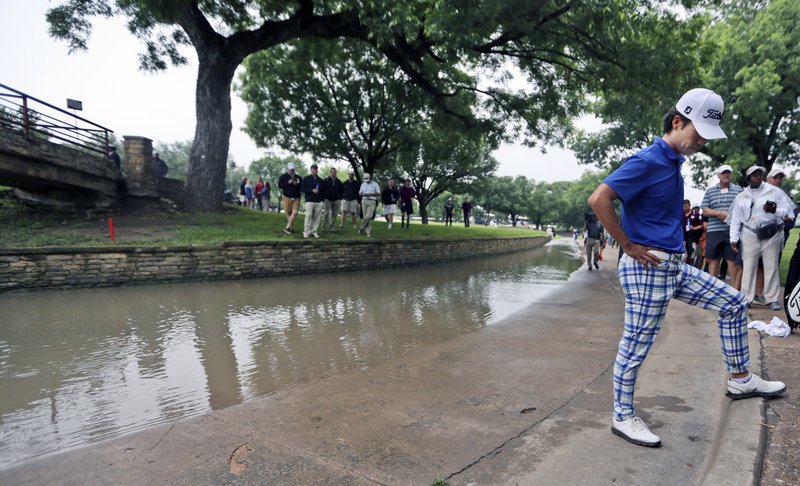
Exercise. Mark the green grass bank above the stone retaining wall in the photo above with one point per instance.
(162, 225)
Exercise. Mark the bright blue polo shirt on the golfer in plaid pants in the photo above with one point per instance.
(650, 186)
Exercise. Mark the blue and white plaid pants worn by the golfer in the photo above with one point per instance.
(647, 294)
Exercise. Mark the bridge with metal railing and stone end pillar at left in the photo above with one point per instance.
(56, 158)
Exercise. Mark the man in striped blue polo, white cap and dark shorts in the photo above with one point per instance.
(716, 204)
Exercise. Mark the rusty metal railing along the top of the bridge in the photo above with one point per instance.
(39, 120)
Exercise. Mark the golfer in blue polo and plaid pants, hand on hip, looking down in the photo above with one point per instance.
(652, 270)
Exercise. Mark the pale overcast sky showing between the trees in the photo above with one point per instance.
(160, 106)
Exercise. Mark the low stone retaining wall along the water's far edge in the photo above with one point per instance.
(101, 267)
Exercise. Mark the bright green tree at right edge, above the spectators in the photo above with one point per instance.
(753, 61)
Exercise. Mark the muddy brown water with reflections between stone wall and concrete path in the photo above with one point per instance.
(85, 365)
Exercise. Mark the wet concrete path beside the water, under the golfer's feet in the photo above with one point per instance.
(526, 401)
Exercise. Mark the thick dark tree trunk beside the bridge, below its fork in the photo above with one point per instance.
(205, 181)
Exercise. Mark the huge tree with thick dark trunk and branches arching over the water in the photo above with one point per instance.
(563, 49)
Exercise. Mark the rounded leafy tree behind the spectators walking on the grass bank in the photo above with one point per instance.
(333, 100)
